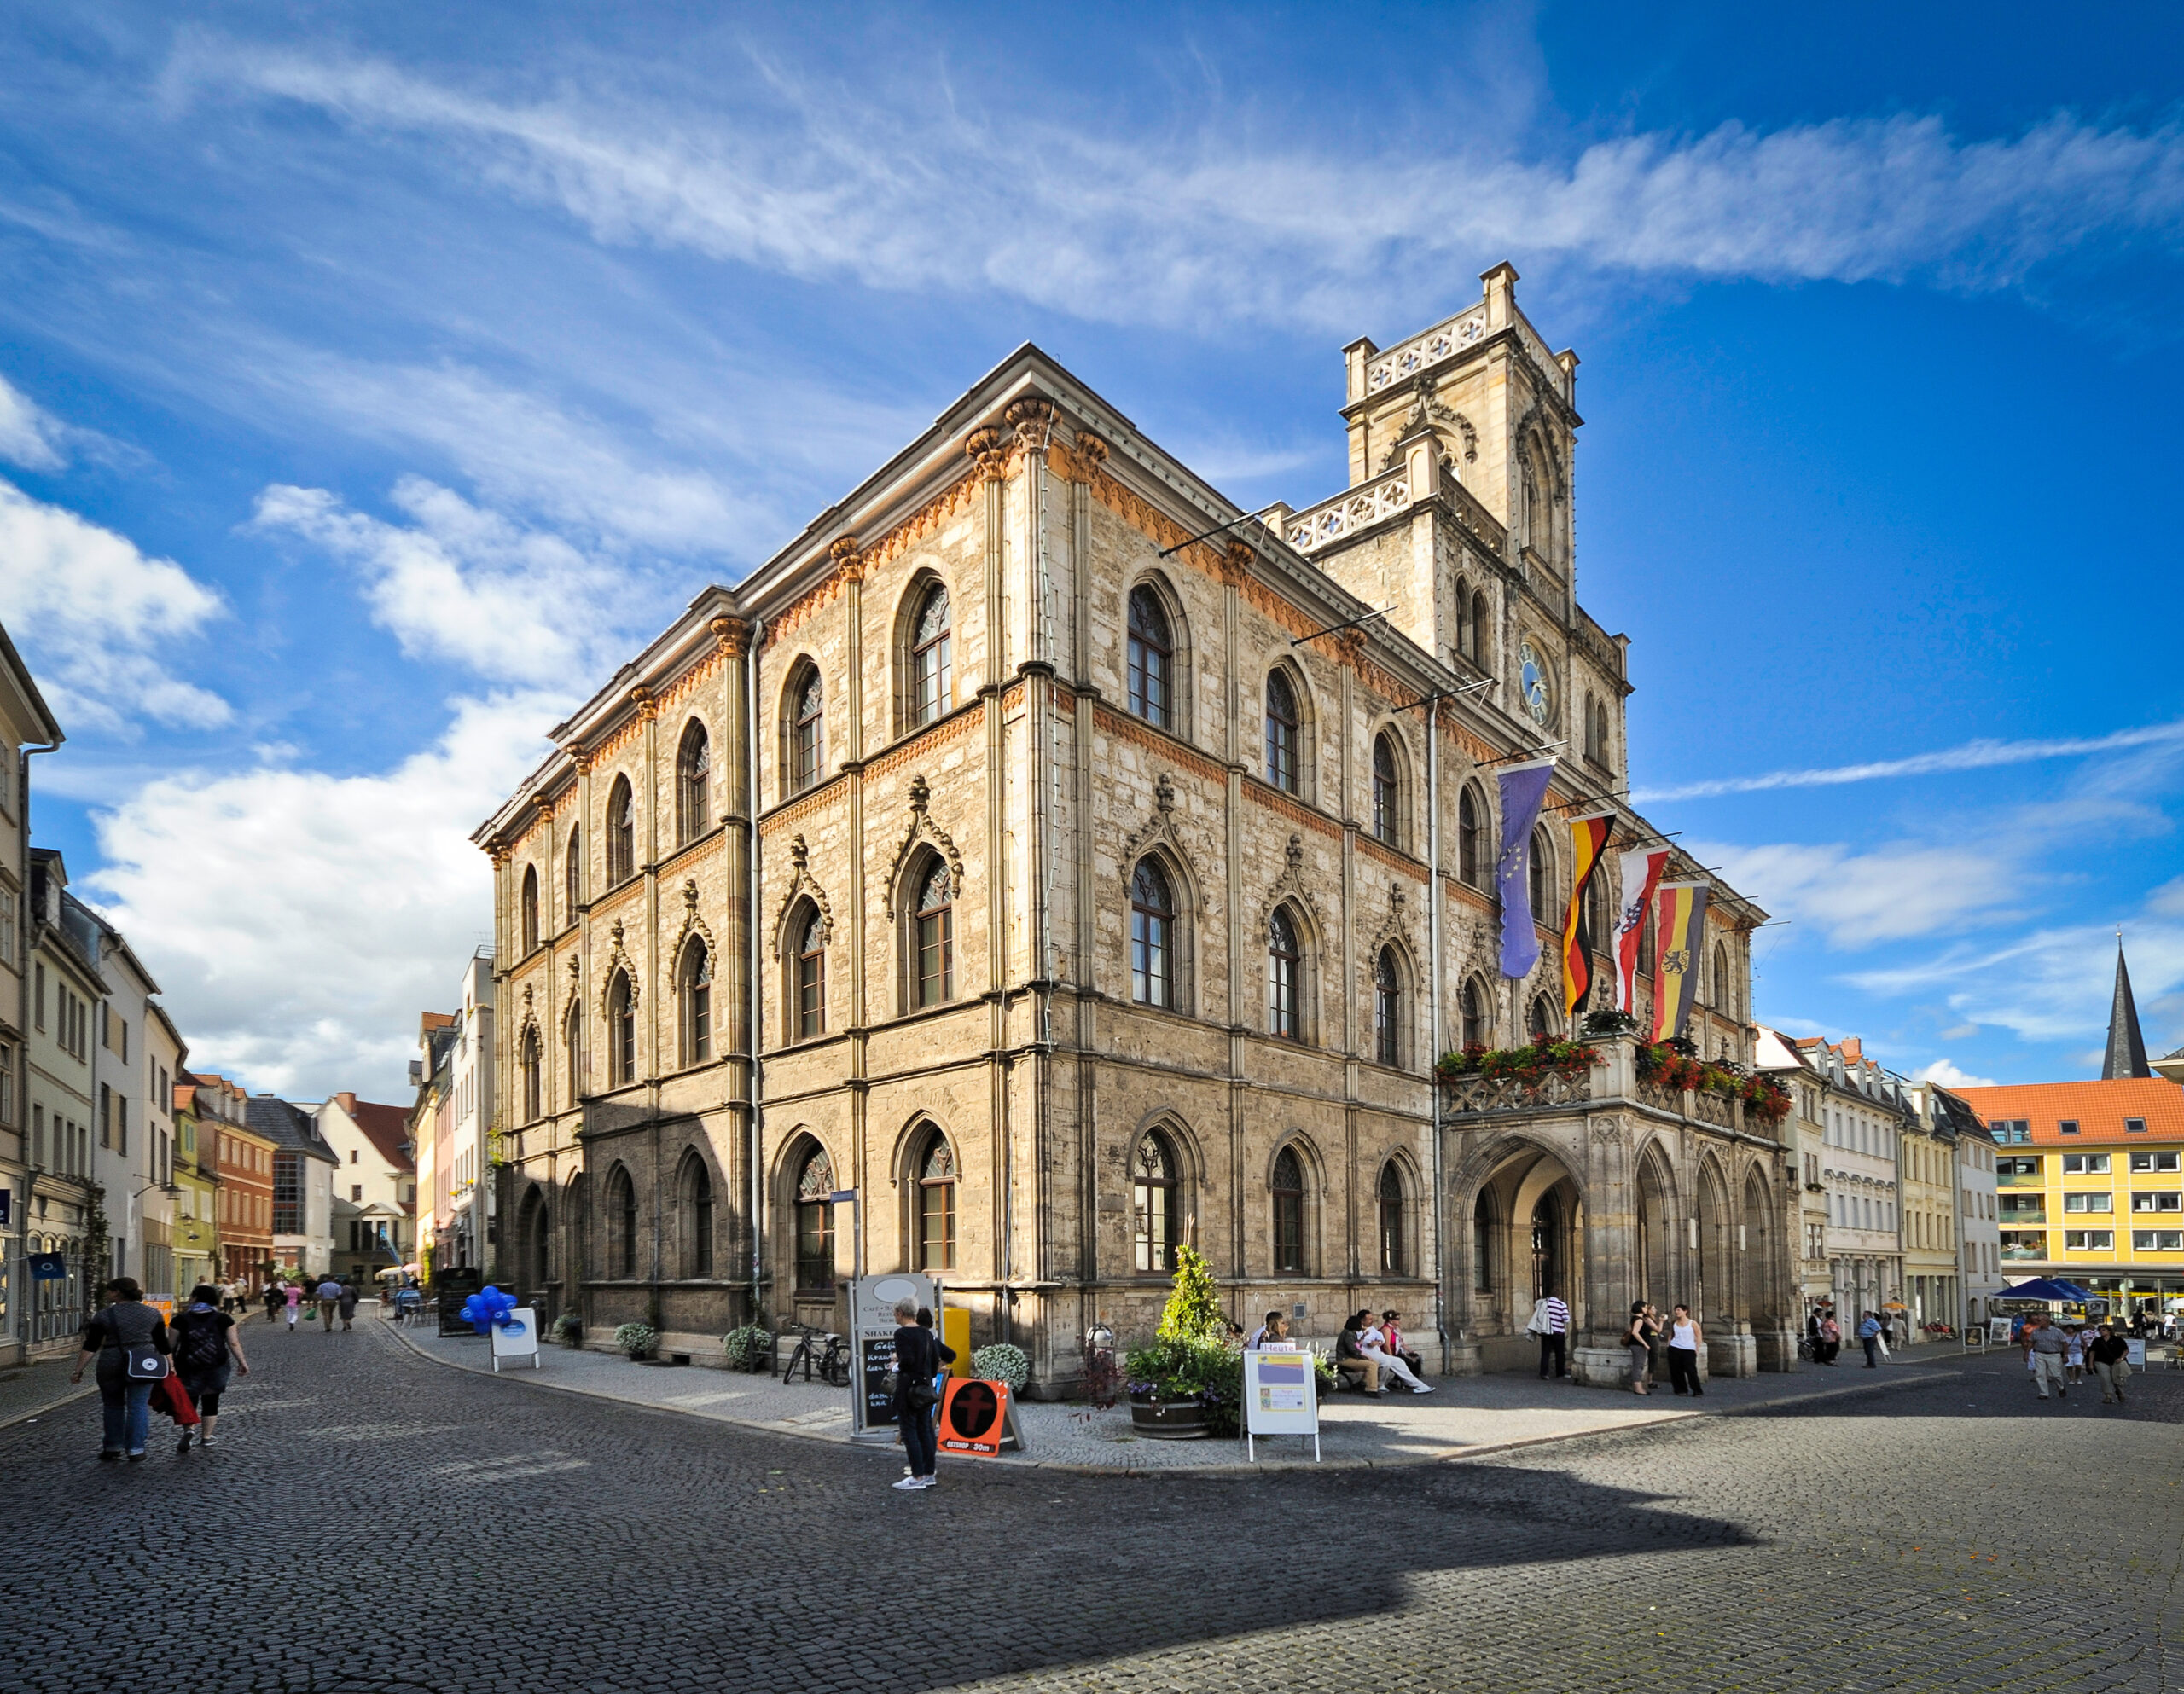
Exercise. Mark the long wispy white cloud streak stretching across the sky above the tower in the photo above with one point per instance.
(916, 191)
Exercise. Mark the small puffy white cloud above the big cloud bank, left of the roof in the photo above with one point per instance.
(471, 586)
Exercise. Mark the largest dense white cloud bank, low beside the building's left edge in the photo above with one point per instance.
(298, 920)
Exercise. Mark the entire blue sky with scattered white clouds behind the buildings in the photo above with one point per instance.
(377, 379)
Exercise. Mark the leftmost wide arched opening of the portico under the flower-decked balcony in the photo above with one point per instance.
(1528, 1230)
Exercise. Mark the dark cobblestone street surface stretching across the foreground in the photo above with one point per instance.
(375, 1523)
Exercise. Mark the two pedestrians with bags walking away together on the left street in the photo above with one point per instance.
(134, 1350)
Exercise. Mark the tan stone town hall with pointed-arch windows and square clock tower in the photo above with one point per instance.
(1060, 842)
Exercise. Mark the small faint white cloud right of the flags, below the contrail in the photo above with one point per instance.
(1886, 894)
